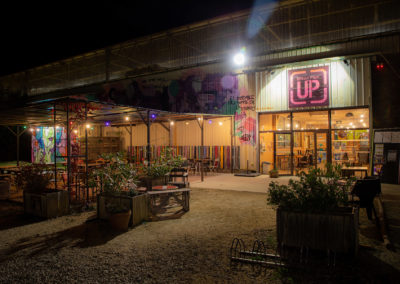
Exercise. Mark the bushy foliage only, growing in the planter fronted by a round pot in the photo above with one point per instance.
(116, 177)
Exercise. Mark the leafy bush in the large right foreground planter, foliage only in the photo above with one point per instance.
(316, 191)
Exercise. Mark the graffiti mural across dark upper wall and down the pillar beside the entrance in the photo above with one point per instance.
(195, 90)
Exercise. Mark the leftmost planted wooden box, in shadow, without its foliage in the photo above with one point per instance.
(47, 205)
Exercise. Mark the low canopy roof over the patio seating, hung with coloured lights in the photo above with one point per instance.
(42, 114)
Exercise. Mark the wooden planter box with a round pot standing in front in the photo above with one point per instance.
(137, 204)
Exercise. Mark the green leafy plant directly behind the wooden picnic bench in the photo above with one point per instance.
(155, 173)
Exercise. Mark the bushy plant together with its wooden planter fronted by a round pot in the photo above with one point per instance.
(119, 201)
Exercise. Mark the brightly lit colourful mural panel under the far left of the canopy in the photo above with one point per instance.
(43, 144)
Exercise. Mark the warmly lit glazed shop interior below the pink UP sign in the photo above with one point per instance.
(295, 141)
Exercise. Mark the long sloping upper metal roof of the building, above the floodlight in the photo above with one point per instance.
(286, 26)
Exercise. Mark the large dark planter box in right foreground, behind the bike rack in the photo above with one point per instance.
(336, 231)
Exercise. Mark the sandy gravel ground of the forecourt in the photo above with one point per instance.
(194, 248)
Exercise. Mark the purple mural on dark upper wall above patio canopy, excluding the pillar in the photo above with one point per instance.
(190, 91)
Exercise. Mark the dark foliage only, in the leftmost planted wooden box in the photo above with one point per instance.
(35, 178)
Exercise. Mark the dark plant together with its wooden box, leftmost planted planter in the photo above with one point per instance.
(39, 200)
